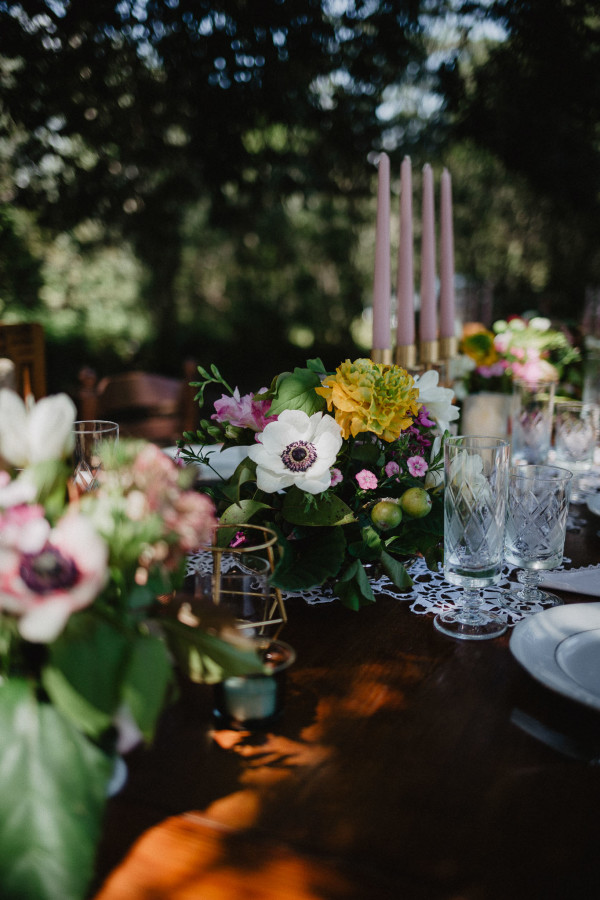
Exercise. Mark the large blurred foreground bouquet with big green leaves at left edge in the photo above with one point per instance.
(83, 674)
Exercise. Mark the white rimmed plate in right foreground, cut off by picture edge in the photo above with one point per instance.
(561, 648)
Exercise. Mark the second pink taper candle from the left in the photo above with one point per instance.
(405, 334)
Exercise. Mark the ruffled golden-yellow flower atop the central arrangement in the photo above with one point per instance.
(367, 396)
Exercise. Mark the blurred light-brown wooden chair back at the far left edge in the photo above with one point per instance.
(23, 343)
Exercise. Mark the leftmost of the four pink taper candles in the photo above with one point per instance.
(382, 279)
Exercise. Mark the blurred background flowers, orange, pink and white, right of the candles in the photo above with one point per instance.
(528, 349)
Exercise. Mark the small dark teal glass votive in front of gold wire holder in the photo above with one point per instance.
(255, 700)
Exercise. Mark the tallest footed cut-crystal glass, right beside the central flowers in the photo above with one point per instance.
(476, 486)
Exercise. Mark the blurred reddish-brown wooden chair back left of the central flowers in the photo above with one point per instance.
(157, 408)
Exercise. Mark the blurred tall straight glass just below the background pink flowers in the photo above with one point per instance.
(531, 420)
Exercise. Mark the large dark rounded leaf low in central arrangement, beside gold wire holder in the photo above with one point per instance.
(310, 560)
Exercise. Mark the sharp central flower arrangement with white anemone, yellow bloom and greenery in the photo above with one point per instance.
(344, 466)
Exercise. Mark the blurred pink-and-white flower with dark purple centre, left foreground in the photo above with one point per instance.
(46, 575)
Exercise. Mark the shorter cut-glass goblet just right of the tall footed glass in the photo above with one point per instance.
(536, 524)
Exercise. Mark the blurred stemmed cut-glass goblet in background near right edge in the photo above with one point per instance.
(575, 437)
